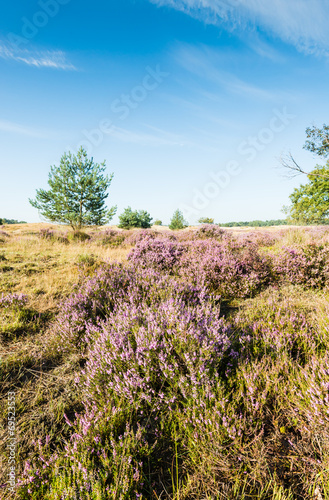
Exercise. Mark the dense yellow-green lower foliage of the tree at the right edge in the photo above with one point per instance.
(310, 202)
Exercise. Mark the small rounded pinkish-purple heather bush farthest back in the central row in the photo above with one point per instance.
(161, 254)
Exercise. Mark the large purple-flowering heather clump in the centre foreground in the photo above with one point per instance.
(169, 346)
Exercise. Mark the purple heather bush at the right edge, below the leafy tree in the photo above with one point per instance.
(307, 265)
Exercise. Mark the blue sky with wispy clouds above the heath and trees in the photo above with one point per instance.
(191, 102)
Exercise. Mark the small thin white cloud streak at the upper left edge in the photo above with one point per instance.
(40, 59)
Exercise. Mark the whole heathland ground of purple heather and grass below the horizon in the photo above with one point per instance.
(165, 364)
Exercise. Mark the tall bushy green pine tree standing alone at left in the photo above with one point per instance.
(77, 193)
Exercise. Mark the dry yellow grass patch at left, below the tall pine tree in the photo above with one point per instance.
(43, 269)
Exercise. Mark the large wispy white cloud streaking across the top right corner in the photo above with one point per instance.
(303, 23)
